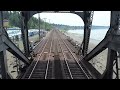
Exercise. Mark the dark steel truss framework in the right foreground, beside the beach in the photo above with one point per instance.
(112, 42)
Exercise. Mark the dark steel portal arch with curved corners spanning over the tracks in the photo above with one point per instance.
(85, 16)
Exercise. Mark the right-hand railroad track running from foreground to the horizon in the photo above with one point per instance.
(72, 68)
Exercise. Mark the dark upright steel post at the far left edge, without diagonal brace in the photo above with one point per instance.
(3, 59)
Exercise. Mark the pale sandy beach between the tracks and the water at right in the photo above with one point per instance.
(99, 62)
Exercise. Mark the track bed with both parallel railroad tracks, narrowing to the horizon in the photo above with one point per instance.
(56, 58)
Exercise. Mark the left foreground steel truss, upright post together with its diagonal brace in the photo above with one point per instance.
(7, 44)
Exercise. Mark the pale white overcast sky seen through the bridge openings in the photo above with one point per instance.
(100, 18)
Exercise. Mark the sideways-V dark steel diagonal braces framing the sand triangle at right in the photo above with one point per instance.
(98, 49)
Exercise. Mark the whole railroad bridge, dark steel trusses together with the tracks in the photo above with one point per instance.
(55, 57)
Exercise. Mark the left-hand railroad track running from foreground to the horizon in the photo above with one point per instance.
(40, 69)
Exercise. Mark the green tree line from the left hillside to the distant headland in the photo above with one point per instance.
(33, 23)
